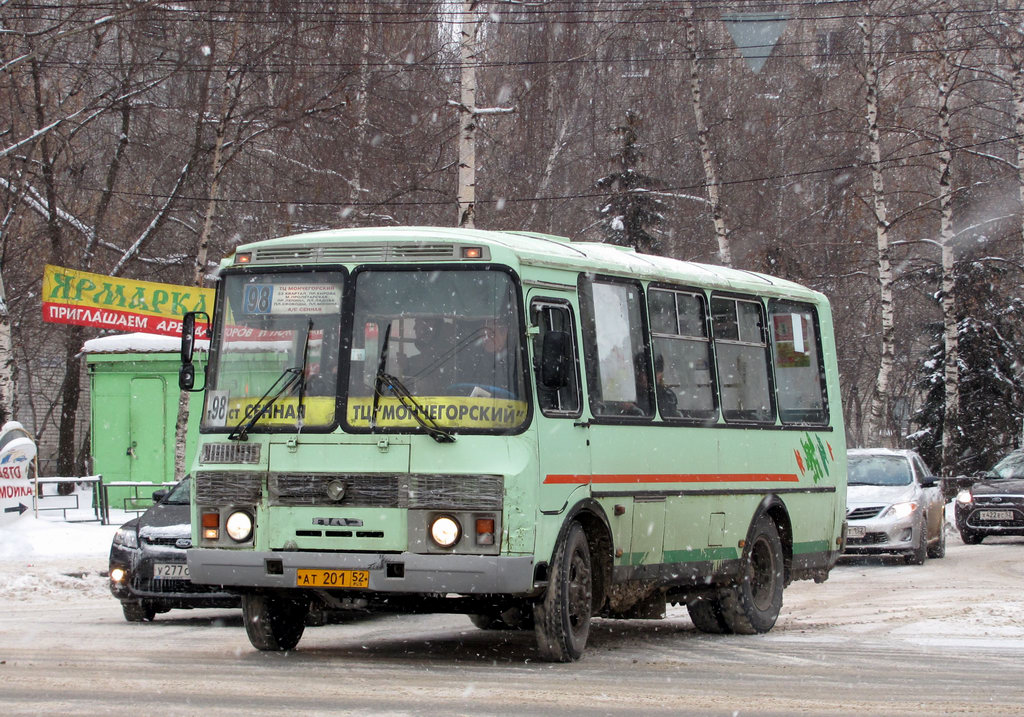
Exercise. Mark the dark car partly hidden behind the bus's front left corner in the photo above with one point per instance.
(149, 572)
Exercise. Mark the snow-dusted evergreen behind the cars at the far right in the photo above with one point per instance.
(992, 407)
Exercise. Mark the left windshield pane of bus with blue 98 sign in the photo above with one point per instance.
(276, 363)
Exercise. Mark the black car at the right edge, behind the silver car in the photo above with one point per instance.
(995, 504)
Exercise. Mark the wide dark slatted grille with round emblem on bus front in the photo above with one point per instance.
(426, 492)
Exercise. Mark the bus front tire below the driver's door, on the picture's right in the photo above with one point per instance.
(562, 618)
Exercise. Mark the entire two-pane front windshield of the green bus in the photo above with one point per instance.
(431, 350)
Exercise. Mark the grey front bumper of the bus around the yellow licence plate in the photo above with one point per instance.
(399, 573)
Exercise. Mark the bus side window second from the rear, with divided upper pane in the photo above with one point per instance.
(742, 360)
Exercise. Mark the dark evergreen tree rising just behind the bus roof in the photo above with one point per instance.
(632, 210)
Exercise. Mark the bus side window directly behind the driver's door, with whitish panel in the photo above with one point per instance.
(619, 378)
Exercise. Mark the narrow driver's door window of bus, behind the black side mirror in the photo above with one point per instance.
(557, 365)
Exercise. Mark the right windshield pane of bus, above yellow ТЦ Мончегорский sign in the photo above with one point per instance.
(449, 339)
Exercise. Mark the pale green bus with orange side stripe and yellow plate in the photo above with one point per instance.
(518, 428)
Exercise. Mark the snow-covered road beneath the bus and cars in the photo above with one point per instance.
(879, 638)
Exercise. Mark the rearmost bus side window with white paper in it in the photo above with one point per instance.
(797, 354)
